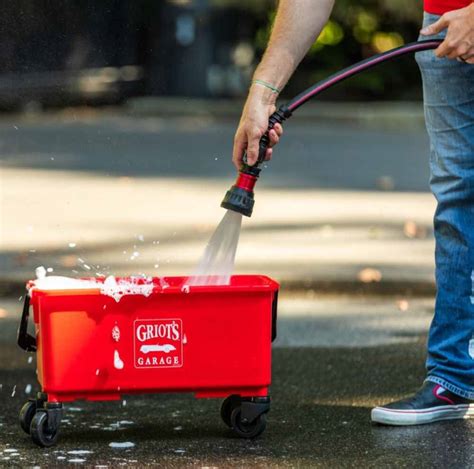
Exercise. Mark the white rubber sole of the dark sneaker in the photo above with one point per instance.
(419, 417)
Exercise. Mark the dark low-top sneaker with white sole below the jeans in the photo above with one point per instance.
(430, 404)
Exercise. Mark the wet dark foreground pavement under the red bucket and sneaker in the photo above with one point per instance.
(322, 394)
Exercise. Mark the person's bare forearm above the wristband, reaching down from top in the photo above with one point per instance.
(297, 25)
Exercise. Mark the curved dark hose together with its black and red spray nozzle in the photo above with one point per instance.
(240, 197)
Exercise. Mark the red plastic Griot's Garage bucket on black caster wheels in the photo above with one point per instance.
(213, 341)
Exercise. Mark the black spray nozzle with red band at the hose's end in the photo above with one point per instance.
(239, 197)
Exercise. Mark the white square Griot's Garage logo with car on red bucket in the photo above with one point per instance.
(158, 343)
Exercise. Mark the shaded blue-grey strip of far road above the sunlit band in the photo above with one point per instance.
(309, 156)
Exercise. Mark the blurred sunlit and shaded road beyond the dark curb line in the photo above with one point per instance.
(338, 198)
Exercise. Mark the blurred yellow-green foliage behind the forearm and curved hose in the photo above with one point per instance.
(357, 29)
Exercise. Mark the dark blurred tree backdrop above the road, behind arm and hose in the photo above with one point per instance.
(63, 51)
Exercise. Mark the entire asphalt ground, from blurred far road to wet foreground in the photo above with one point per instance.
(343, 204)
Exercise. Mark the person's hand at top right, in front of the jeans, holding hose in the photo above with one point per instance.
(459, 41)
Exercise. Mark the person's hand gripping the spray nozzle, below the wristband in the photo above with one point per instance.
(260, 105)
